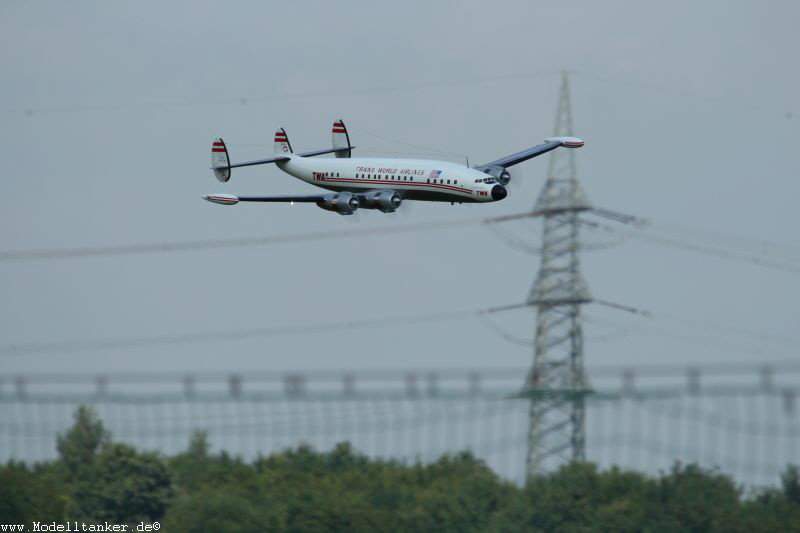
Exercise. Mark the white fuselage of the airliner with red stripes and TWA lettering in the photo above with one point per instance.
(413, 179)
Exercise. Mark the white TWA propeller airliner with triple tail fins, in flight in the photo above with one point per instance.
(382, 184)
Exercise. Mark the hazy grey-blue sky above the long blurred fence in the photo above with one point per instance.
(689, 111)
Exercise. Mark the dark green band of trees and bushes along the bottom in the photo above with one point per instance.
(300, 490)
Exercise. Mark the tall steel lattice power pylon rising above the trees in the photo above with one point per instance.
(556, 384)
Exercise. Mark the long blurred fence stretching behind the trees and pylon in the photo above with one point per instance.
(740, 419)
